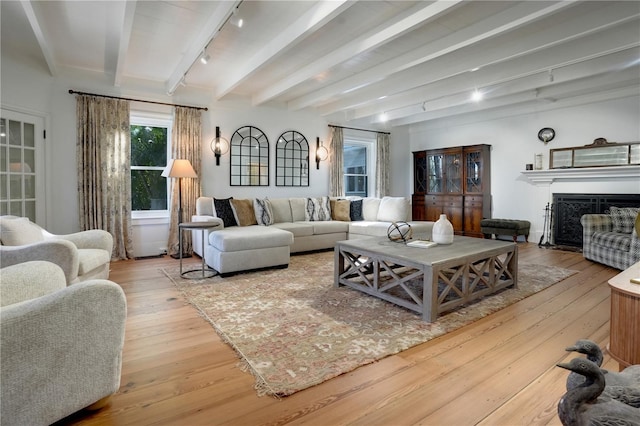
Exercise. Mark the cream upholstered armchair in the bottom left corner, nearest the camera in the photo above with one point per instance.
(60, 346)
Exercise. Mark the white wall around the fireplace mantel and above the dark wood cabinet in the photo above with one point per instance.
(514, 143)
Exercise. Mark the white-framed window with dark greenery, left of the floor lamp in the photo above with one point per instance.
(150, 145)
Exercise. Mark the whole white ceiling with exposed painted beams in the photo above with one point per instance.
(350, 61)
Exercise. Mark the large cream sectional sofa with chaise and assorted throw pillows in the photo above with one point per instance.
(259, 233)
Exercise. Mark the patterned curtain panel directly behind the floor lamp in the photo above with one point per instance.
(186, 144)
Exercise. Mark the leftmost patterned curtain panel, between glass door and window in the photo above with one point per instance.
(103, 157)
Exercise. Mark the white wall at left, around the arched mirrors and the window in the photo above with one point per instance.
(28, 87)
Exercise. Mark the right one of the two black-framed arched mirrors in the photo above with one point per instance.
(292, 159)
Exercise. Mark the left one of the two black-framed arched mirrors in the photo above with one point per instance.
(249, 157)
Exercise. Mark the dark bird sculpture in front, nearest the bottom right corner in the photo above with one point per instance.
(585, 406)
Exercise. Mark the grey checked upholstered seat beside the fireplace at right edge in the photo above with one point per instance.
(612, 238)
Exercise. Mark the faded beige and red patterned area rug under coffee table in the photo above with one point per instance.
(292, 329)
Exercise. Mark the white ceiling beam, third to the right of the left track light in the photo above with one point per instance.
(507, 20)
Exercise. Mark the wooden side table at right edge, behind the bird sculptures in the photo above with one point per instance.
(624, 339)
